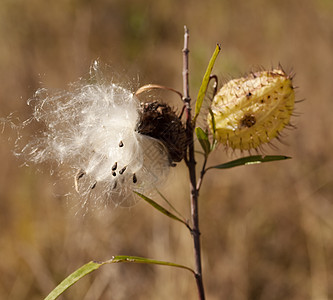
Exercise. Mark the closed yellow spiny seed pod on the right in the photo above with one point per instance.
(251, 111)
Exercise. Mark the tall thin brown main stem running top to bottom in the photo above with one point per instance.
(191, 164)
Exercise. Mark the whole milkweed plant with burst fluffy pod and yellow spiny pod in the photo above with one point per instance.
(118, 149)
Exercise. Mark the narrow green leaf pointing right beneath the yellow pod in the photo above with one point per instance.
(249, 160)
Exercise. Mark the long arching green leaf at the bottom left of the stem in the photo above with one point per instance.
(92, 266)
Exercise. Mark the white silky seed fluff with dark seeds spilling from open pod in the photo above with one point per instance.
(92, 128)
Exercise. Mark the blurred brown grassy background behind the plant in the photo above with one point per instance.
(267, 230)
